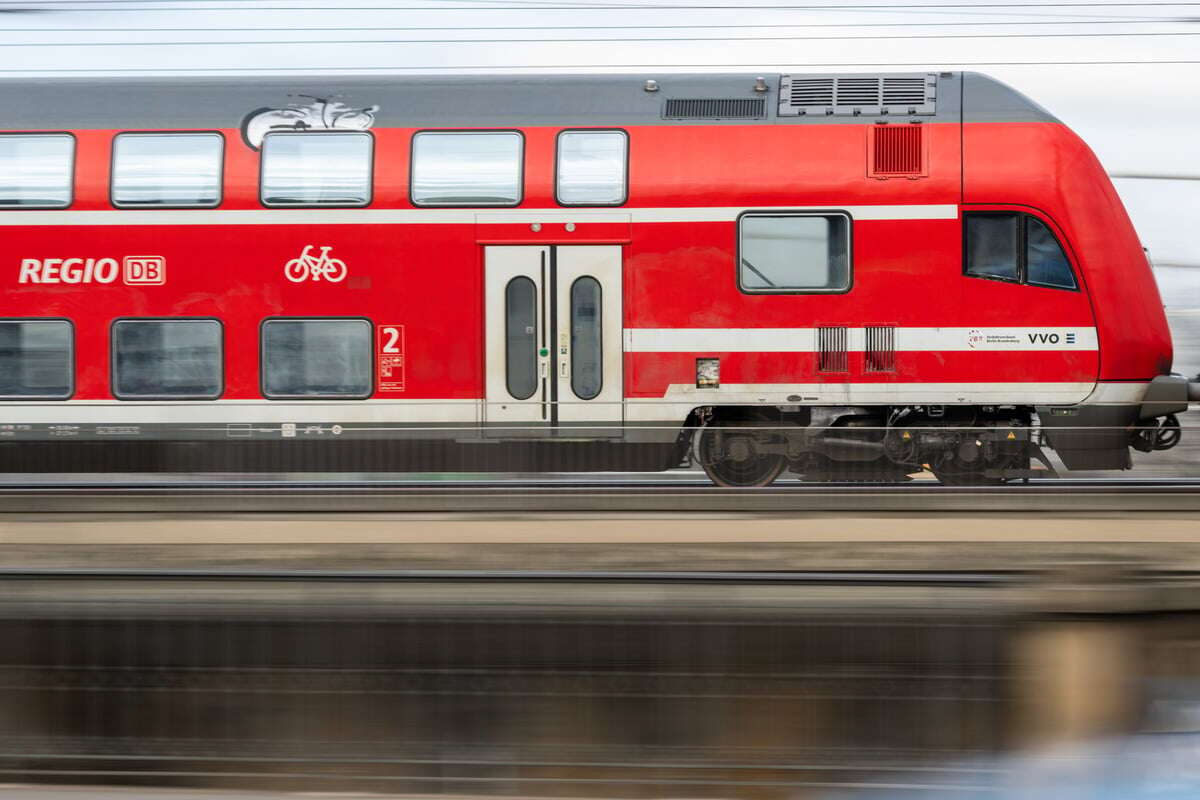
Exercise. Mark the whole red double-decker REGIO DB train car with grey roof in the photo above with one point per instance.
(854, 275)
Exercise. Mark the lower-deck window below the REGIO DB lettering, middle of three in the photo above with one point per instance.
(167, 359)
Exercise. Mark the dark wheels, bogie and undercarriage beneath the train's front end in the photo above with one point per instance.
(959, 446)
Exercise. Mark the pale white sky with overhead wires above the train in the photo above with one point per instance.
(1139, 118)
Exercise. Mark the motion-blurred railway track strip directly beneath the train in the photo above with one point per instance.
(679, 495)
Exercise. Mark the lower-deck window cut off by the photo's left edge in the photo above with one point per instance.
(37, 359)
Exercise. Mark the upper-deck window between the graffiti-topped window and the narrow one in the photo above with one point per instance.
(467, 169)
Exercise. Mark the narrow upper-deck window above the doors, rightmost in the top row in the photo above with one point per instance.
(592, 167)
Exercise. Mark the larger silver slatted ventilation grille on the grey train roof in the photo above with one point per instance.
(899, 94)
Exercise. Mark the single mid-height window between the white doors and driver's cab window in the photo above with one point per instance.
(794, 252)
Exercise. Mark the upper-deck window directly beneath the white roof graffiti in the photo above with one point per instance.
(317, 169)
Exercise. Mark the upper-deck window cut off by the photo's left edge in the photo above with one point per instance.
(37, 171)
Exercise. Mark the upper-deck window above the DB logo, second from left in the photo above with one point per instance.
(167, 170)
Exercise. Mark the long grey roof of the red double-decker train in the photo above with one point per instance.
(515, 101)
